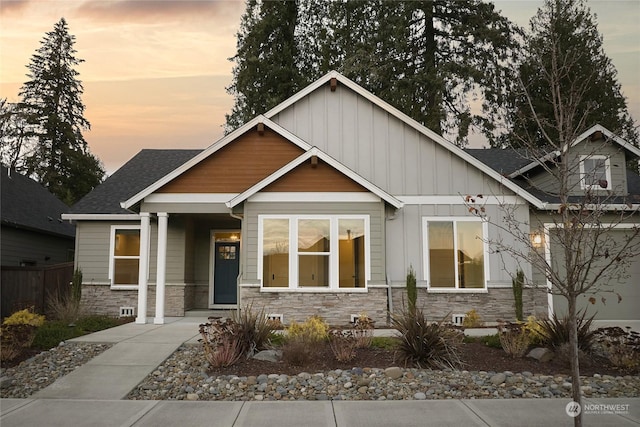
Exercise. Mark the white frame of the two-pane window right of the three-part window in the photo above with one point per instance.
(425, 242)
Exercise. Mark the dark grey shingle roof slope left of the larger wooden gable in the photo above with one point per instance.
(142, 170)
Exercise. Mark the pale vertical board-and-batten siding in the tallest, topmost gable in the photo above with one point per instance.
(378, 146)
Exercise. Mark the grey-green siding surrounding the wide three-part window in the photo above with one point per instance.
(376, 226)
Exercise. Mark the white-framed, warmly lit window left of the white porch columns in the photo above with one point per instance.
(125, 255)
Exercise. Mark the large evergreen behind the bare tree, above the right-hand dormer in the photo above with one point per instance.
(564, 37)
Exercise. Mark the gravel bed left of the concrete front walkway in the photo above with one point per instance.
(34, 374)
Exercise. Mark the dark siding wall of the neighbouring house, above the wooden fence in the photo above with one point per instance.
(20, 245)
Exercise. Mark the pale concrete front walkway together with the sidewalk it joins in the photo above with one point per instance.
(93, 394)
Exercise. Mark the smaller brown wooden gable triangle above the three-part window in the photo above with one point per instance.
(315, 176)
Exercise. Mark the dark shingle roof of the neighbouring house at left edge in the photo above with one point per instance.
(27, 204)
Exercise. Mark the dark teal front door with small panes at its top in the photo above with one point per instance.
(226, 269)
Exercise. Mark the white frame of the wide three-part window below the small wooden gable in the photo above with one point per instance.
(334, 274)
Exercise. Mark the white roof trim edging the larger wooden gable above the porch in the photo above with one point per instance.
(203, 154)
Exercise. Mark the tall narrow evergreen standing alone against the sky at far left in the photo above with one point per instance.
(53, 110)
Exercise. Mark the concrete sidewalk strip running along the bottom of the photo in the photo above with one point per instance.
(484, 412)
